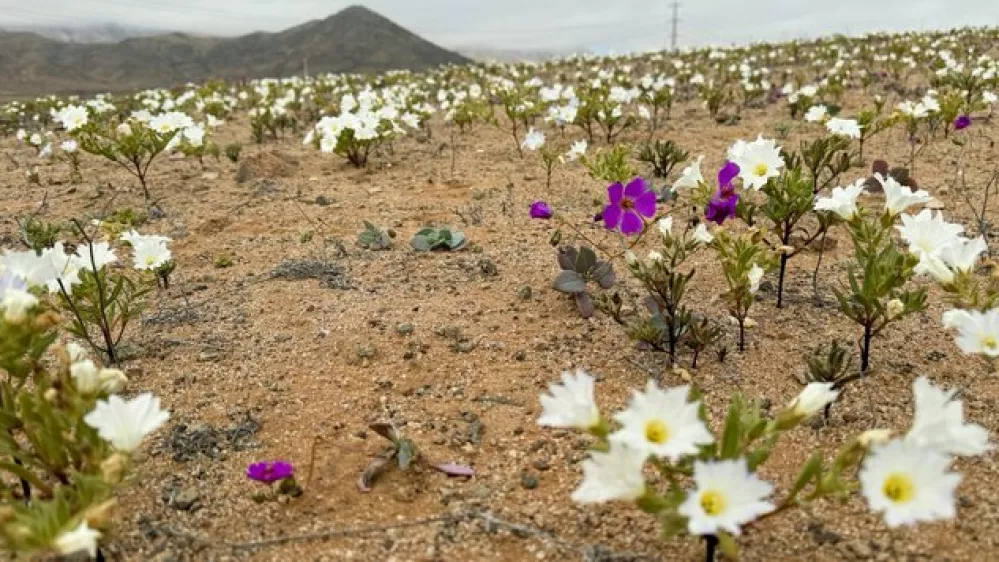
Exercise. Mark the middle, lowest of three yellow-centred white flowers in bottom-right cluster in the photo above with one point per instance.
(726, 496)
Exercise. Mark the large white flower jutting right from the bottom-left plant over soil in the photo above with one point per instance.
(124, 424)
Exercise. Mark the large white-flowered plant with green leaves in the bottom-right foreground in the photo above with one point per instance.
(708, 484)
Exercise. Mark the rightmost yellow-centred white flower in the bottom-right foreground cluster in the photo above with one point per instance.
(908, 483)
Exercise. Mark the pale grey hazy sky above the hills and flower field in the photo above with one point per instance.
(602, 25)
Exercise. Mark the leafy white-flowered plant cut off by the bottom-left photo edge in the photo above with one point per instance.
(69, 439)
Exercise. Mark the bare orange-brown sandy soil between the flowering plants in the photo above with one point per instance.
(314, 364)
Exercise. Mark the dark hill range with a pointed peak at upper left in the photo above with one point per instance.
(353, 40)
